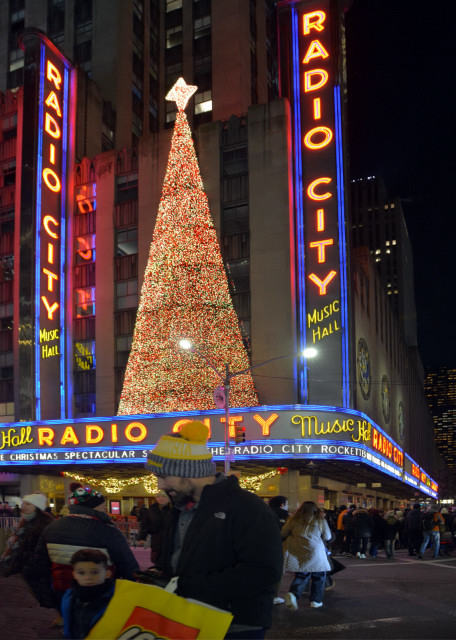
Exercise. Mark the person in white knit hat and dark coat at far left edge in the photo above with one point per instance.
(19, 554)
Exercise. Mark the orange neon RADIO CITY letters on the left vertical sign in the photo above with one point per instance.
(51, 183)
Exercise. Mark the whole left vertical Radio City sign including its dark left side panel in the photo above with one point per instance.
(48, 122)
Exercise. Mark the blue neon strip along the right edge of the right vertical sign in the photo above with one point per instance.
(342, 247)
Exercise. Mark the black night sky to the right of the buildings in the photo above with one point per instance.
(402, 125)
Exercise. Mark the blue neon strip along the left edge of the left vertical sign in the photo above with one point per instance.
(38, 235)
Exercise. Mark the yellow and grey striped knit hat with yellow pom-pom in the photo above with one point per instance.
(183, 454)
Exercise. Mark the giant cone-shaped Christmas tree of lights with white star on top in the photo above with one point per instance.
(184, 295)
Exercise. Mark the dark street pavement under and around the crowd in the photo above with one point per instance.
(380, 599)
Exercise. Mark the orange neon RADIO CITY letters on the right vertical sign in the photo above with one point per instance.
(320, 190)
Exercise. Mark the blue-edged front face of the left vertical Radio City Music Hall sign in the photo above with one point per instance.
(55, 132)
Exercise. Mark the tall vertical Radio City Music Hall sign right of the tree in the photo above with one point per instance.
(310, 54)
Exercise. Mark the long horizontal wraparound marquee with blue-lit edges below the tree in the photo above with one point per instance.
(272, 433)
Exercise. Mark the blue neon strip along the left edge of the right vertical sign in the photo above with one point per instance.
(300, 246)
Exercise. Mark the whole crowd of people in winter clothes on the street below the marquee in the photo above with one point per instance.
(210, 541)
